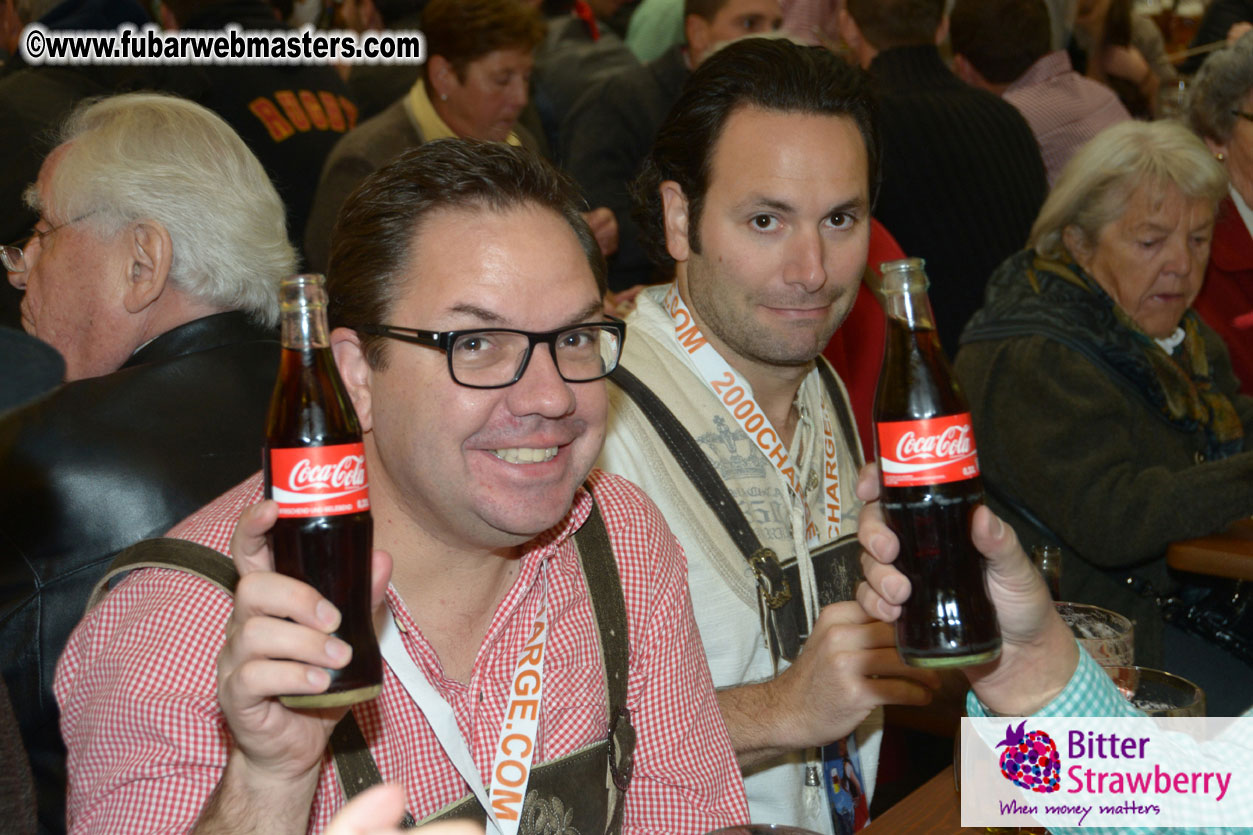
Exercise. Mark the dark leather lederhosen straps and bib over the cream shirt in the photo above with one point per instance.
(836, 565)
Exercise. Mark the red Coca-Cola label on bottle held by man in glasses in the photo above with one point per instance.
(319, 481)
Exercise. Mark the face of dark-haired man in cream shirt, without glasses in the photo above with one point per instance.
(784, 236)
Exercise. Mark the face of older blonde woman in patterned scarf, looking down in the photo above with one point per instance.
(1152, 260)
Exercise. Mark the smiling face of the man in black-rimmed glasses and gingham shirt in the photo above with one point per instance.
(486, 468)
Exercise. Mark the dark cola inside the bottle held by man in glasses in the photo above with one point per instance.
(310, 408)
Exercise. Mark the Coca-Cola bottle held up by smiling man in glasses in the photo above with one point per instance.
(315, 468)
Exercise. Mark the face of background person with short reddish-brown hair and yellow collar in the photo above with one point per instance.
(487, 102)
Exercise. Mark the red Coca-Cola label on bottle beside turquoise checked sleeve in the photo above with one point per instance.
(935, 451)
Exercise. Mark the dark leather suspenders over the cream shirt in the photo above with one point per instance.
(782, 611)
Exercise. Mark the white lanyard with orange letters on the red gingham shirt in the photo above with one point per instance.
(512, 765)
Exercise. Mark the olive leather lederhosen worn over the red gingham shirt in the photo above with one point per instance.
(583, 792)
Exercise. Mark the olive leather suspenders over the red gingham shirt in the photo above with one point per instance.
(355, 765)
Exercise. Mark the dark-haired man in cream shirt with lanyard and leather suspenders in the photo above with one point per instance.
(730, 419)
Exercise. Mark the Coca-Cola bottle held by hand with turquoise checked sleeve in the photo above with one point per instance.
(929, 471)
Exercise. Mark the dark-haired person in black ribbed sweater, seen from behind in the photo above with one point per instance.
(963, 176)
